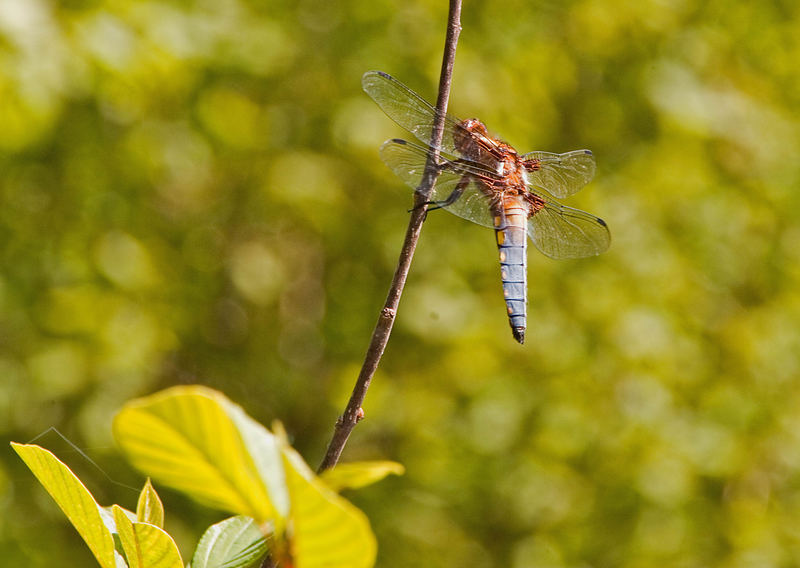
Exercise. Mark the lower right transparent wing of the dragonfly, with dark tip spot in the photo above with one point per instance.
(559, 231)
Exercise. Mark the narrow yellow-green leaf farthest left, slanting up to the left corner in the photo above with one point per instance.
(73, 498)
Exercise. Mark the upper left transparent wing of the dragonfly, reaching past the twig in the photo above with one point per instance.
(408, 109)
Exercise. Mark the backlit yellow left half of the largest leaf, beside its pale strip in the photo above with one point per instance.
(184, 438)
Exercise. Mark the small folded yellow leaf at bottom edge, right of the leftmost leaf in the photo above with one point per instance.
(145, 545)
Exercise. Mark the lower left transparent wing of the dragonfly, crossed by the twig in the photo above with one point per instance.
(408, 161)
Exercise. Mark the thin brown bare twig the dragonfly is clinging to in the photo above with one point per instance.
(353, 412)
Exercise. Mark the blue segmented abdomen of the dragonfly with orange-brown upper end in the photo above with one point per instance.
(511, 223)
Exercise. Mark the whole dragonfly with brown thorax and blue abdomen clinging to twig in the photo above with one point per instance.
(485, 180)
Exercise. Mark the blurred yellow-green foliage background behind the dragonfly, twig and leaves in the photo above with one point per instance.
(190, 192)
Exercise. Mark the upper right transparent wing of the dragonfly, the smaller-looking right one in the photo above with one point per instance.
(560, 175)
